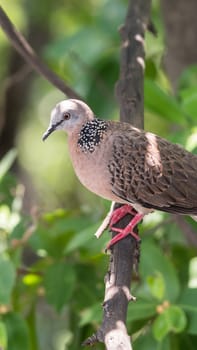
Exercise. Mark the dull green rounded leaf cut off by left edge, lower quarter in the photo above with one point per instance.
(7, 279)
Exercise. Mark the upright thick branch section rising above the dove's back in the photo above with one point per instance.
(130, 87)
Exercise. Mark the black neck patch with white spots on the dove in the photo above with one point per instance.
(91, 135)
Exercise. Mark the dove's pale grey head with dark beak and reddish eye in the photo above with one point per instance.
(69, 115)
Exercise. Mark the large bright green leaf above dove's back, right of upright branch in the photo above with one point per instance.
(159, 102)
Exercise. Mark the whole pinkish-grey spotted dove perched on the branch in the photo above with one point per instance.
(124, 164)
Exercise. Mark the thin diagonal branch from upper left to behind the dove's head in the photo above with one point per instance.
(26, 51)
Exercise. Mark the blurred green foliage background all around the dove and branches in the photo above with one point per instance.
(51, 265)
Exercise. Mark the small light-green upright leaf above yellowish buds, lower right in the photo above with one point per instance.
(156, 285)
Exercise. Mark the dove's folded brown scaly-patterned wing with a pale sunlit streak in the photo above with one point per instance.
(150, 171)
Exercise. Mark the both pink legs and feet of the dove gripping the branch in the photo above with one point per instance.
(128, 229)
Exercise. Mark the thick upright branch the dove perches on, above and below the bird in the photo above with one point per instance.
(125, 254)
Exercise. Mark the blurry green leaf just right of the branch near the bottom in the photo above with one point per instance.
(141, 310)
